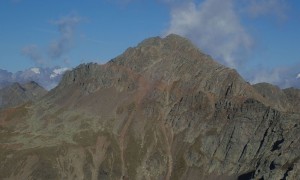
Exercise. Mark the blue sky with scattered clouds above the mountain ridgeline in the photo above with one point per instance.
(257, 37)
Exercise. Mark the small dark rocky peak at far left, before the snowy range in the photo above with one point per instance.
(17, 94)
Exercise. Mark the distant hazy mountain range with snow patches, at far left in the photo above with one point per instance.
(46, 77)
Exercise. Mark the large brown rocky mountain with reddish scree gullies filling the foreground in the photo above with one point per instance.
(161, 110)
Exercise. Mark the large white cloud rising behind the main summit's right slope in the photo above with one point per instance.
(214, 26)
